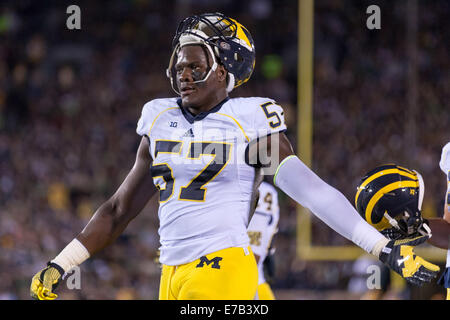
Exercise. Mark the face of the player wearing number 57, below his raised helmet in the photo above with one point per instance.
(193, 64)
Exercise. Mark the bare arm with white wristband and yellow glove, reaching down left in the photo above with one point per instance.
(107, 223)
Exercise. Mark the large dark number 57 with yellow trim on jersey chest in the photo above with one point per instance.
(195, 190)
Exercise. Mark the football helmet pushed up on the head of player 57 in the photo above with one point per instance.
(228, 42)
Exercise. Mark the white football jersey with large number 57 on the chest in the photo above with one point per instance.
(199, 167)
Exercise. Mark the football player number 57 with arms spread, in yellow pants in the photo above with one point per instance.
(201, 149)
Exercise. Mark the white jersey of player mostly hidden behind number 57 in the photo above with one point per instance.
(263, 225)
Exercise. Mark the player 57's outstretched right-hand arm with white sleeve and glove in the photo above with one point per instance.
(299, 182)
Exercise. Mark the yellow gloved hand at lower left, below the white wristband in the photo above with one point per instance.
(45, 282)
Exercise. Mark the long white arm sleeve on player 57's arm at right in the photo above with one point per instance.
(328, 204)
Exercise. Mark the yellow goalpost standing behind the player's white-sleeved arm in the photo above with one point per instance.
(305, 249)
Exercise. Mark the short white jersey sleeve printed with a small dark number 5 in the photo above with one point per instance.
(268, 118)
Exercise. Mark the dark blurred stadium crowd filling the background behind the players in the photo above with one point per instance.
(70, 100)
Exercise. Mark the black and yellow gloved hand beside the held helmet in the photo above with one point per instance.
(400, 257)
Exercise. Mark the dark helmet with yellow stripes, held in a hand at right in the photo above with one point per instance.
(390, 198)
